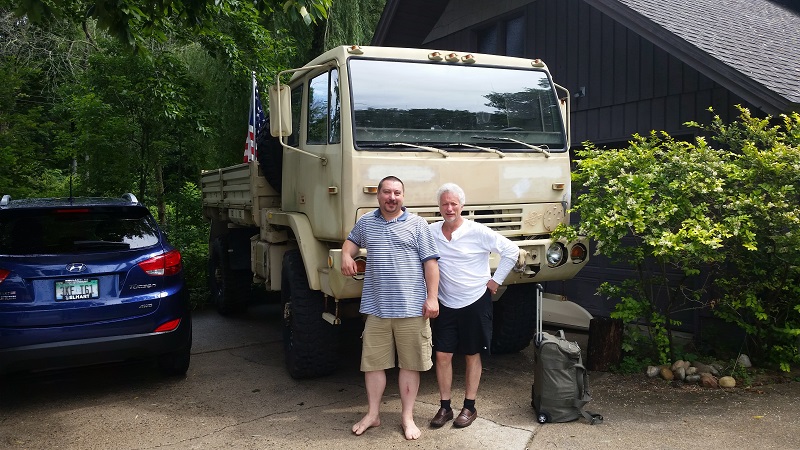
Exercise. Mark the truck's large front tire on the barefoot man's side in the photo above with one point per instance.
(310, 343)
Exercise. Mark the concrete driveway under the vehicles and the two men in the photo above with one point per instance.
(238, 395)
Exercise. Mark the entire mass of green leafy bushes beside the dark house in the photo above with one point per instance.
(703, 227)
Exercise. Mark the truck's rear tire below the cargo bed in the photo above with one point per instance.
(230, 289)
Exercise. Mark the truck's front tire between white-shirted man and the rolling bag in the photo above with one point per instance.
(514, 319)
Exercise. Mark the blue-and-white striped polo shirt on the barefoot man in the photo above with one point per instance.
(394, 282)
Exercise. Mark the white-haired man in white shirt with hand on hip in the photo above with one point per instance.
(466, 284)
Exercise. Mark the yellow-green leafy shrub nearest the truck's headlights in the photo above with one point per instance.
(656, 205)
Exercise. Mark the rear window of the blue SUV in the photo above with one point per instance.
(25, 231)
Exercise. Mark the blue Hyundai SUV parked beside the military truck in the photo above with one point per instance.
(86, 281)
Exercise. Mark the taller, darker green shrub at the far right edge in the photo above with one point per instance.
(760, 288)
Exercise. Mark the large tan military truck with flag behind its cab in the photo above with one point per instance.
(497, 126)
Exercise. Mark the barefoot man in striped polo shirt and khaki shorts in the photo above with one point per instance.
(399, 297)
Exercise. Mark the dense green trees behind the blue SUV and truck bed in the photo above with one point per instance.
(121, 98)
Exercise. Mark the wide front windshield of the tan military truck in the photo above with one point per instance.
(447, 106)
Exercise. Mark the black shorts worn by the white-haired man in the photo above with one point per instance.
(466, 330)
